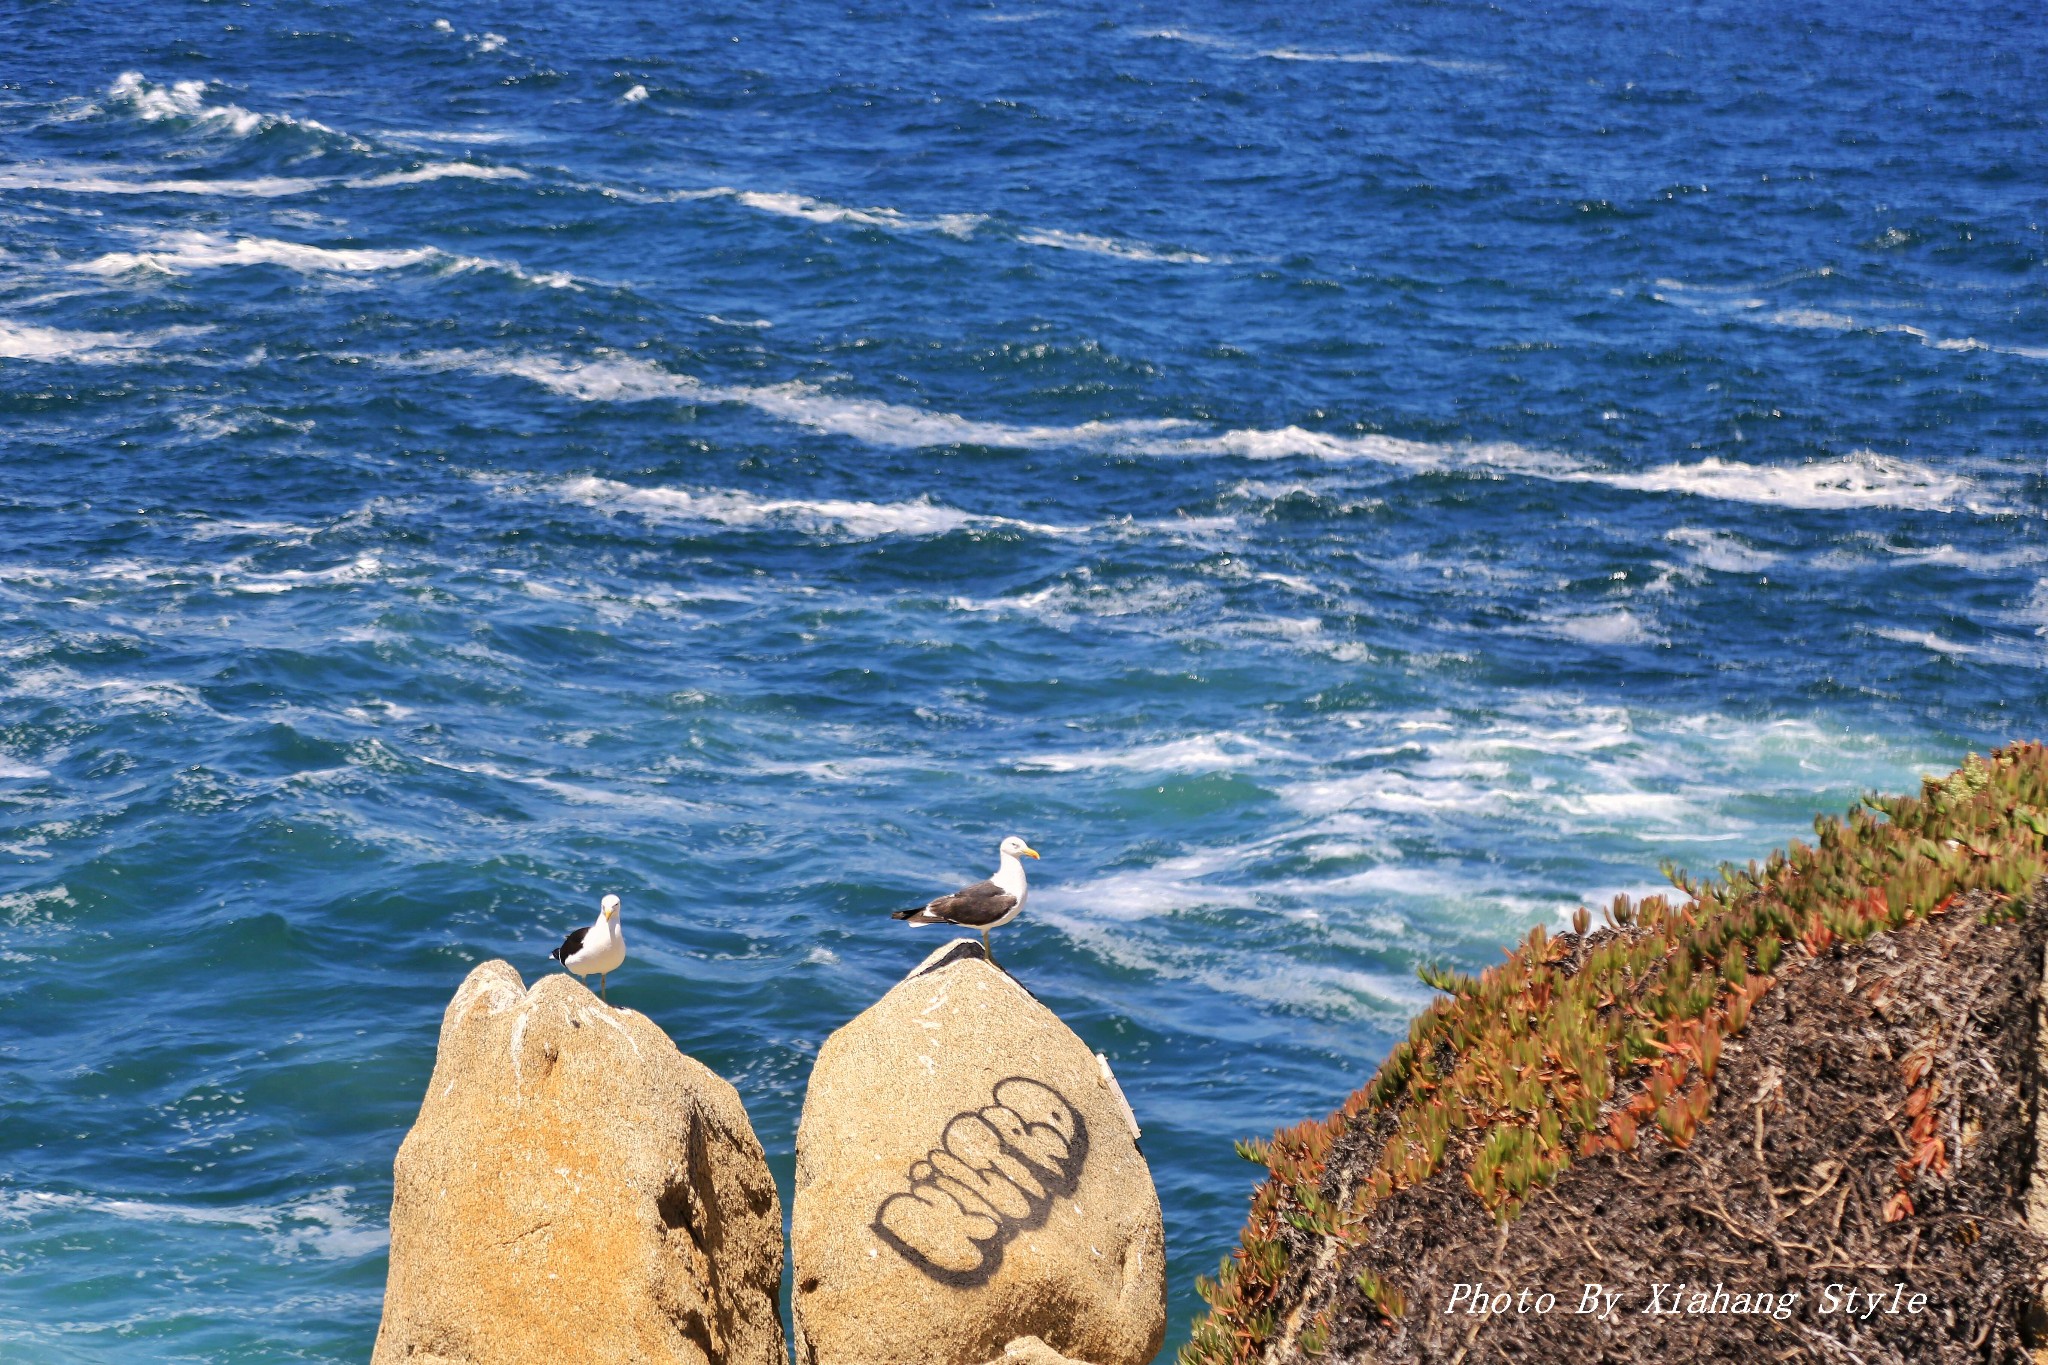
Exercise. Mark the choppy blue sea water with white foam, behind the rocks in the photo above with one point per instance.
(1347, 482)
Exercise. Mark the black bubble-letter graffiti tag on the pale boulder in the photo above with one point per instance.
(994, 1174)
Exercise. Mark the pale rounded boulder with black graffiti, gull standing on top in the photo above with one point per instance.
(968, 1178)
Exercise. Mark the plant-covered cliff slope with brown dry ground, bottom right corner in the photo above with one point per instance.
(1793, 1116)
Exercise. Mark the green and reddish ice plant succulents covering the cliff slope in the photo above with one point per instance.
(1590, 1043)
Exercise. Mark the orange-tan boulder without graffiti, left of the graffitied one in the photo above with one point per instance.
(577, 1190)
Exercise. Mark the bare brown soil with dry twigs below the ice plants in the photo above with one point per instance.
(1811, 1172)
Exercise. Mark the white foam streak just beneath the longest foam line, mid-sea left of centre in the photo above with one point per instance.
(826, 517)
